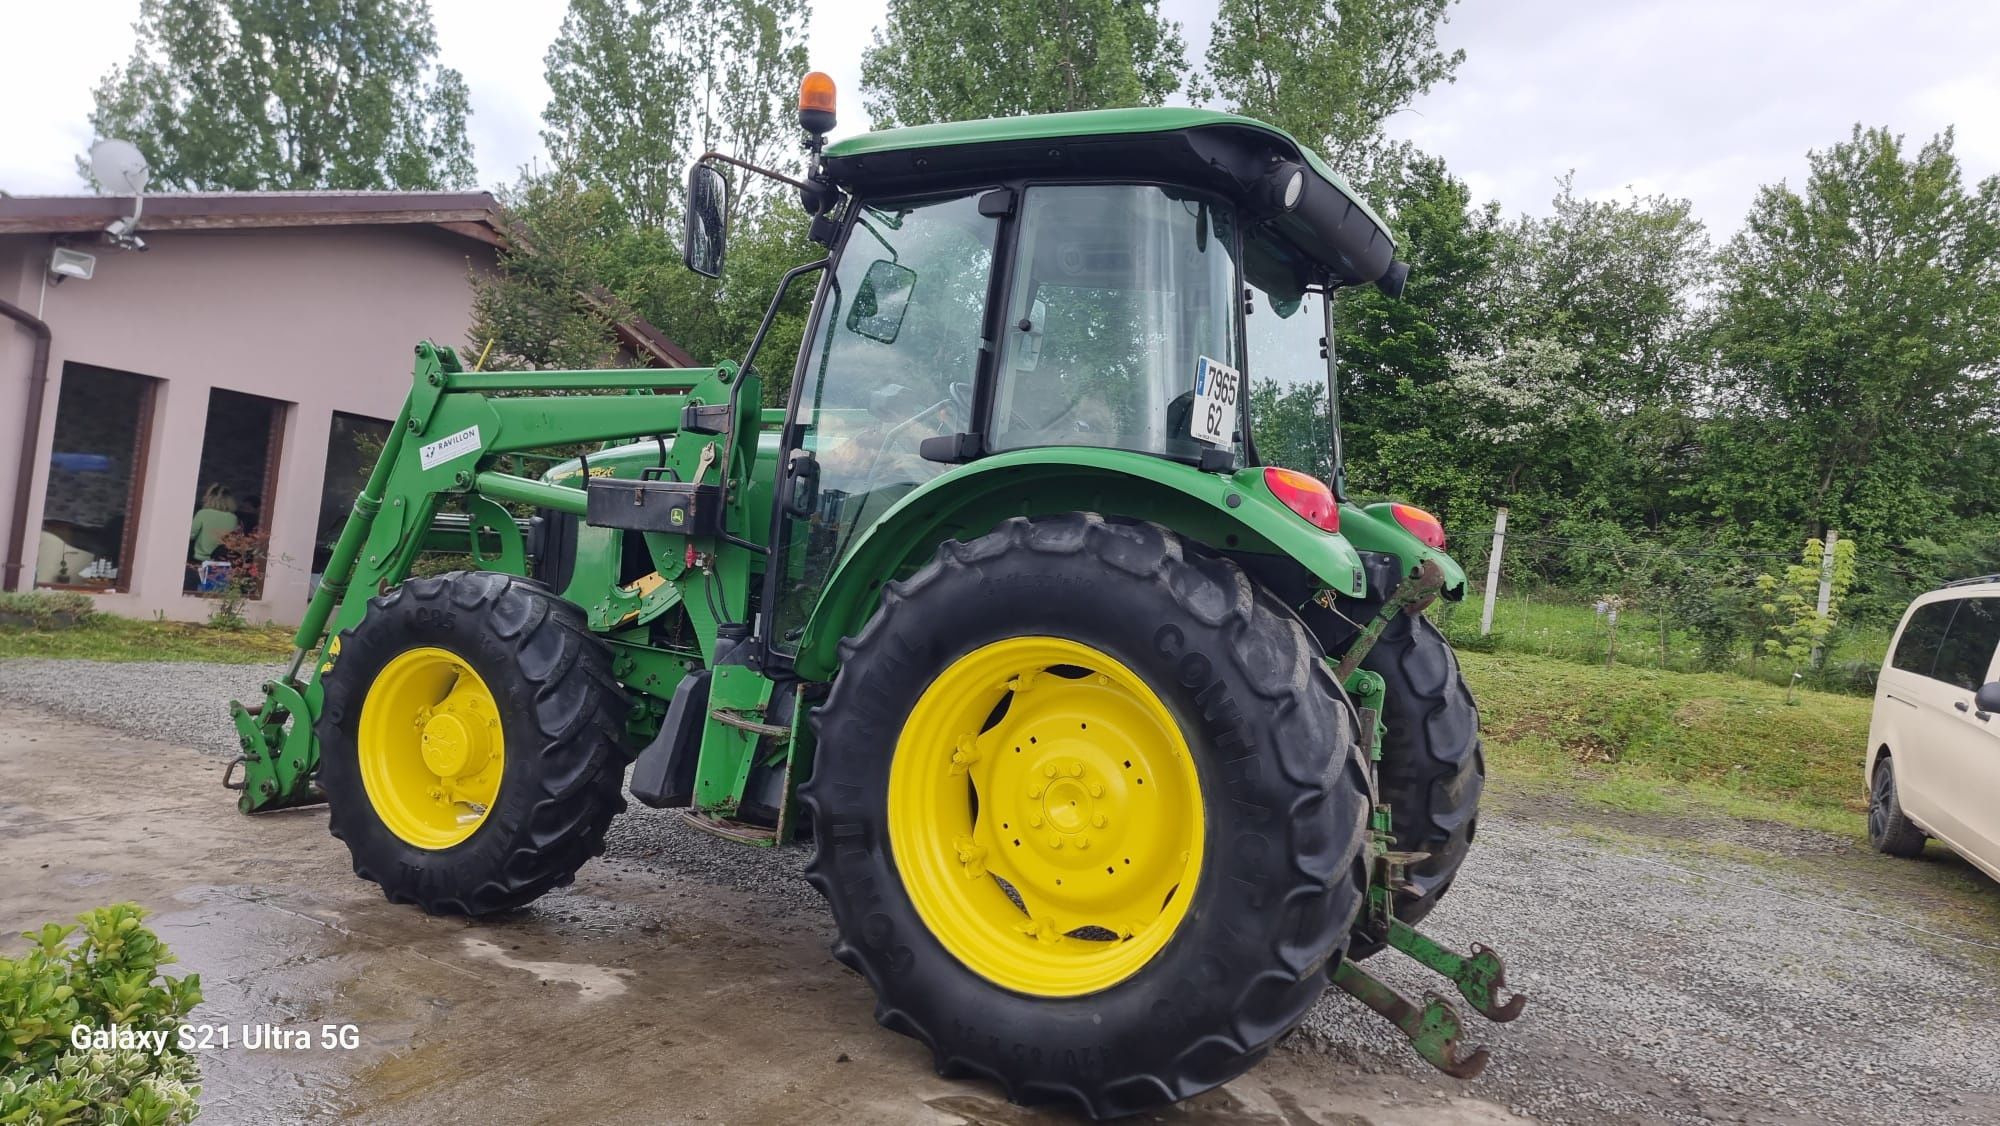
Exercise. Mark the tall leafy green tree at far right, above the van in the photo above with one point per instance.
(1859, 331)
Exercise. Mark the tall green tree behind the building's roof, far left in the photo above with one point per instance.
(273, 95)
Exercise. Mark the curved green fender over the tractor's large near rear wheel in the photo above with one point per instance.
(1227, 513)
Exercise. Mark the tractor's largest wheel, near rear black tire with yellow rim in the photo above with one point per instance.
(1039, 735)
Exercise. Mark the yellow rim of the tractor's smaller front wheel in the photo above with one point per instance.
(431, 749)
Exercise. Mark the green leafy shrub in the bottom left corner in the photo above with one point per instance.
(109, 977)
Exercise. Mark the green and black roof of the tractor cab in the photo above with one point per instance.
(1205, 149)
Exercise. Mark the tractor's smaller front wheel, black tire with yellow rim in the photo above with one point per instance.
(553, 721)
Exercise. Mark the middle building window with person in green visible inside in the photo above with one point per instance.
(231, 525)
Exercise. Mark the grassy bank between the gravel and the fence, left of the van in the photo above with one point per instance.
(1673, 743)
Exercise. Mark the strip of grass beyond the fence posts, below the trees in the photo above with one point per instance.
(1551, 627)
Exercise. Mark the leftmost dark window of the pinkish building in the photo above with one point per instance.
(97, 471)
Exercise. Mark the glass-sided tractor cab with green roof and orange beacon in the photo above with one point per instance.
(1147, 281)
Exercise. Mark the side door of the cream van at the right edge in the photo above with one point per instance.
(1967, 747)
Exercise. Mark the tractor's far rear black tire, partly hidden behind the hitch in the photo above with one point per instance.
(1433, 767)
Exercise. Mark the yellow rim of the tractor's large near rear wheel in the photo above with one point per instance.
(1047, 817)
